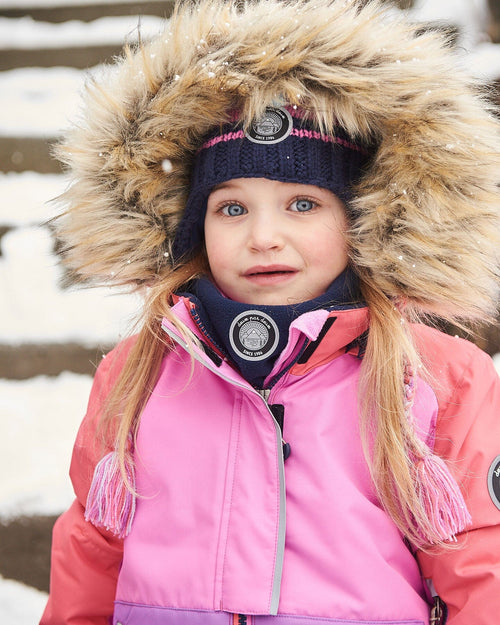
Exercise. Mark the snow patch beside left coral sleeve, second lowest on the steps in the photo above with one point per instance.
(39, 420)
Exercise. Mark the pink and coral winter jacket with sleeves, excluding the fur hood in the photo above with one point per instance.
(225, 527)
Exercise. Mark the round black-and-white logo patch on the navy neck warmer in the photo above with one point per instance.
(253, 335)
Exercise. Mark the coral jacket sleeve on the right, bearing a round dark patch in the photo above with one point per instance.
(468, 437)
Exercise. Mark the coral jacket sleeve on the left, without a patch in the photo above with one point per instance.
(85, 561)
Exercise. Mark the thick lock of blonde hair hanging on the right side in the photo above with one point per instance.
(391, 445)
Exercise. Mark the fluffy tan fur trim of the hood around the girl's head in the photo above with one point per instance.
(427, 225)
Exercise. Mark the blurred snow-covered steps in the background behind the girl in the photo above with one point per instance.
(51, 339)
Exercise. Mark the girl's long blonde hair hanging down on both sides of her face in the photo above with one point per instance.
(389, 440)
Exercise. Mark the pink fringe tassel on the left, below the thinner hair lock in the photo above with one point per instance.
(110, 504)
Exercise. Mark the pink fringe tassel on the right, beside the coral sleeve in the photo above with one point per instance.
(441, 498)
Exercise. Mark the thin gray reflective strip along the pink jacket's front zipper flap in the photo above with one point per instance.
(280, 546)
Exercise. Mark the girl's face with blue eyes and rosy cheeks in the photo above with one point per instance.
(271, 242)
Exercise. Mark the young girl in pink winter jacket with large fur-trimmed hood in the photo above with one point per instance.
(298, 186)
